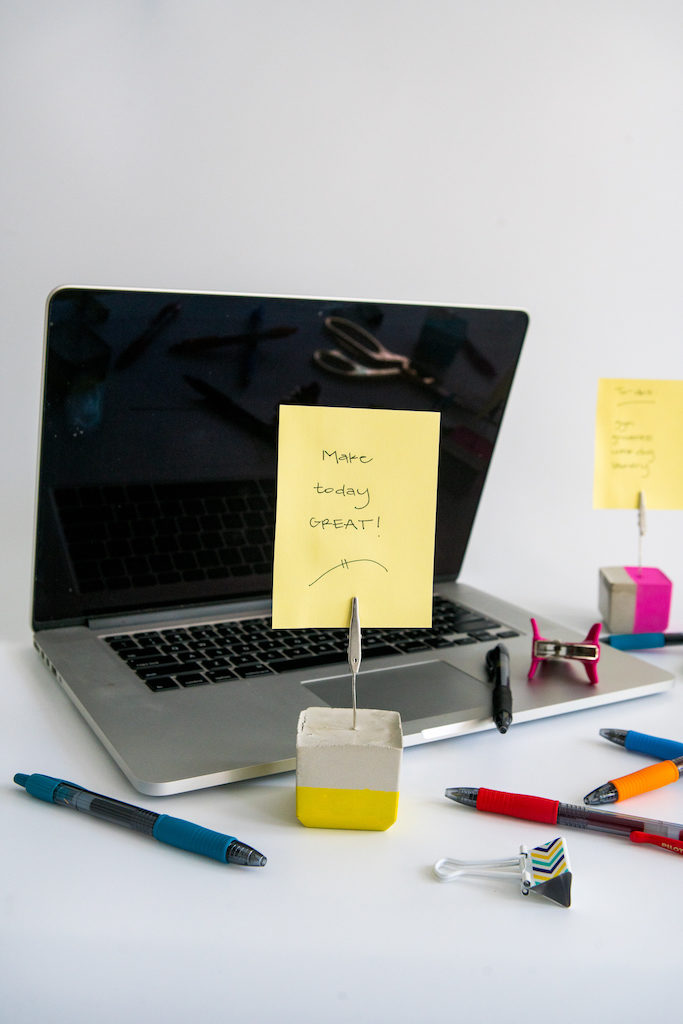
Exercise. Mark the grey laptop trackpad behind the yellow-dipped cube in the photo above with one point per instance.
(415, 692)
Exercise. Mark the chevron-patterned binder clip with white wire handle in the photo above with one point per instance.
(544, 871)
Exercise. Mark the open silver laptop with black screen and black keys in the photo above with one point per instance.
(155, 529)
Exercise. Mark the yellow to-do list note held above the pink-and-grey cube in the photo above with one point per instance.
(638, 444)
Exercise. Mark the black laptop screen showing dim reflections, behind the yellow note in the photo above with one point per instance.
(160, 426)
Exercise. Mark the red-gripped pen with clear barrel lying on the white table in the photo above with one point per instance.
(638, 830)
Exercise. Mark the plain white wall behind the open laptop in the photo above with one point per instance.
(488, 153)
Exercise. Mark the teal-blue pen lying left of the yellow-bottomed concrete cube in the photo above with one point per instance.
(175, 832)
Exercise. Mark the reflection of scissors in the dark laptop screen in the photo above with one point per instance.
(362, 355)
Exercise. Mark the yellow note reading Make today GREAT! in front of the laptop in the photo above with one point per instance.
(356, 517)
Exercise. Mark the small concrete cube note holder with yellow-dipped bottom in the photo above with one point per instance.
(348, 778)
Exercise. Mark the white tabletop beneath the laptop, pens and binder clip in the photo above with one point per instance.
(101, 924)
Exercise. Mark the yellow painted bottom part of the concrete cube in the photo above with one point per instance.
(369, 809)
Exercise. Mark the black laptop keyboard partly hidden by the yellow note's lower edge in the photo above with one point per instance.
(217, 653)
